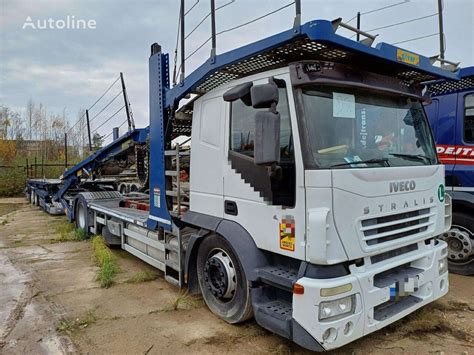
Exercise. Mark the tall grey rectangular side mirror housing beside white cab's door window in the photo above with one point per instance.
(267, 138)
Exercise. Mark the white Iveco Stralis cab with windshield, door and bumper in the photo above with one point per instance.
(336, 167)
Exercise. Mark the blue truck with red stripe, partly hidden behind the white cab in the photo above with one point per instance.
(451, 115)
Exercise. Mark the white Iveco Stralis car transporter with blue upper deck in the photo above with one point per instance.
(313, 197)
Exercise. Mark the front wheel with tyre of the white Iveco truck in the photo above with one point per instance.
(222, 280)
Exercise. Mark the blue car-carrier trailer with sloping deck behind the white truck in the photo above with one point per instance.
(107, 169)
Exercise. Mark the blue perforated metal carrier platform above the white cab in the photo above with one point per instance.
(315, 40)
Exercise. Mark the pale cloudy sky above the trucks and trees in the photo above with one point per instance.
(68, 69)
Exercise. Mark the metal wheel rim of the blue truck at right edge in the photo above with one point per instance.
(460, 243)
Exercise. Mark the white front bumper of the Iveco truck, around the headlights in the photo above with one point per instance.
(371, 285)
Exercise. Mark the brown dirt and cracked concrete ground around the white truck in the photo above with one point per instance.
(50, 302)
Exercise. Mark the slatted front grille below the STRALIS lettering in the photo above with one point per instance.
(396, 226)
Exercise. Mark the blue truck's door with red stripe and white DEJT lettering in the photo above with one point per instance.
(464, 164)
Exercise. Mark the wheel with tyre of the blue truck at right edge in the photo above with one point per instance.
(460, 239)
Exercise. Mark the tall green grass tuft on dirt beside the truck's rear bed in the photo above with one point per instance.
(106, 262)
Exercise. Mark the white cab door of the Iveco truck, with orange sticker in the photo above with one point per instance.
(272, 210)
